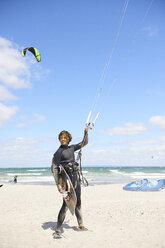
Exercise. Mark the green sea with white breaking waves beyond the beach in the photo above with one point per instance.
(94, 175)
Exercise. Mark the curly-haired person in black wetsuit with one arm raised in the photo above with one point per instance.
(65, 156)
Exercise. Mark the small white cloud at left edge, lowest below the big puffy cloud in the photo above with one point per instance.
(6, 113)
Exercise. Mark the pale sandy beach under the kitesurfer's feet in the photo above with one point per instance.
(115, 218)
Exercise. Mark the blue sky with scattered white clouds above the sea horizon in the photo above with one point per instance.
(80, 41)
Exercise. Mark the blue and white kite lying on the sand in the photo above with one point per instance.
(145, 185)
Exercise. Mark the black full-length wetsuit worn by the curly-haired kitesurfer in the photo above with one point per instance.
(64, 156)
